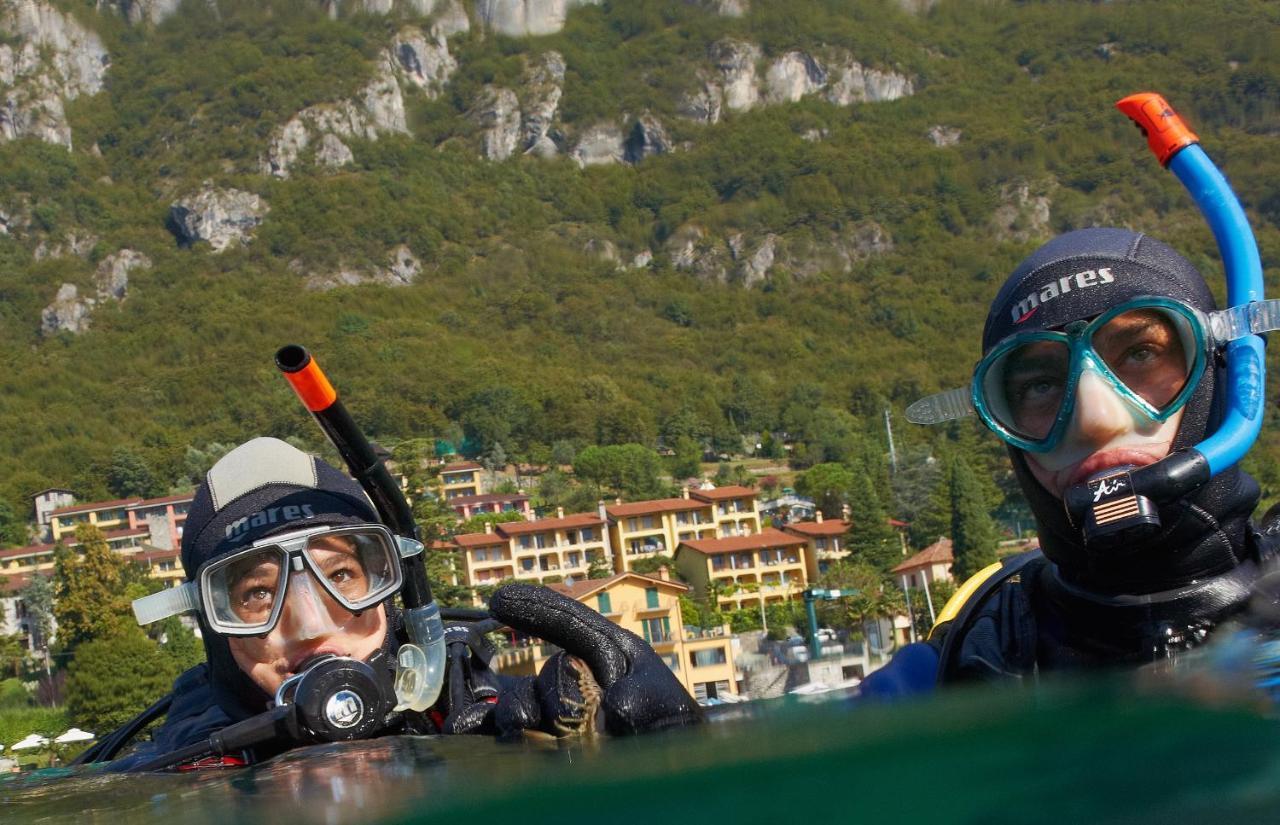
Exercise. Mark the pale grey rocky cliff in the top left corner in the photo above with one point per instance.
(47, 58)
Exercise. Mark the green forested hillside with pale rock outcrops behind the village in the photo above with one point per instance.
(665, 219)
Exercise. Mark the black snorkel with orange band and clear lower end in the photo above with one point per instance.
(420, 662)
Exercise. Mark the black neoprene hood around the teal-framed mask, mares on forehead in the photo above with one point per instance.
(1077, 277)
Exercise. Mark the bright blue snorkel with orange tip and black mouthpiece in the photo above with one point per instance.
(1123, 506)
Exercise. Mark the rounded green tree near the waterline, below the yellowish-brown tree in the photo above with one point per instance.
(116, 677)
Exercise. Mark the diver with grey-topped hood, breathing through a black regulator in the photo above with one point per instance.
(290, 571)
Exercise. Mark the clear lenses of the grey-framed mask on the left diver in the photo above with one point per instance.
(323, 574)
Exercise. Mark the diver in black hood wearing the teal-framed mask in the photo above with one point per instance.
(1095, 360)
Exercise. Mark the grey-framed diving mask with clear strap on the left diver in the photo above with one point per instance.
(245, 593)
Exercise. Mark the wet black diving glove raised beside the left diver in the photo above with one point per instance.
(605, 677)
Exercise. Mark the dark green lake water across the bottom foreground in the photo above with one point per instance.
(1099, 753)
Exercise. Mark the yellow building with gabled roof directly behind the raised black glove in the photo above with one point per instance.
(648, 607)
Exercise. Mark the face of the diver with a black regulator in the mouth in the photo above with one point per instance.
(312, 622)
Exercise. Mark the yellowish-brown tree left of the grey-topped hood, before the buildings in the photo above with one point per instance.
(90, 586)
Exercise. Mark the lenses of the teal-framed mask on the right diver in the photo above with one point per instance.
(1149, 354)
